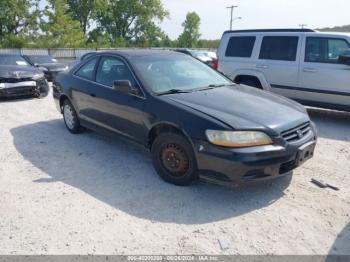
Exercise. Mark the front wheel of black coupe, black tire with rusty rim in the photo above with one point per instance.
(174, 160)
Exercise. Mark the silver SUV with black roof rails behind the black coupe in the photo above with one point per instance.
(308, 66)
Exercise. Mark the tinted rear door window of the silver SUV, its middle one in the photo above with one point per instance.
(282, 48)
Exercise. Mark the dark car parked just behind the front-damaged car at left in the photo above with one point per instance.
(47, 64)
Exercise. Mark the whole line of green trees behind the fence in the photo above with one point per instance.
(92, 24)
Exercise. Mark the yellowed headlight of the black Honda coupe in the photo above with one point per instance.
(238, 138)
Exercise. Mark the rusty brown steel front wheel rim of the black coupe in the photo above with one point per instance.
(174, 159)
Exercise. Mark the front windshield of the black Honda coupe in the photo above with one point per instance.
(176, 72)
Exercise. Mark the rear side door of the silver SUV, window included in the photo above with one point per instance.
(278, 62)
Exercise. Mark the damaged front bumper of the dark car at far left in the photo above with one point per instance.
(24, 88)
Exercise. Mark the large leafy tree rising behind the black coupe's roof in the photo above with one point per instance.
(130, 19)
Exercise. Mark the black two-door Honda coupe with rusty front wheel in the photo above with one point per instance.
(196, 122)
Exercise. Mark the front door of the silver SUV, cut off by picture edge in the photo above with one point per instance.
(323, 80)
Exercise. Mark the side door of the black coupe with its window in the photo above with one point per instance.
(117, 111)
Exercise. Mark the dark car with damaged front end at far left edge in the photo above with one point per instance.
(18, 78)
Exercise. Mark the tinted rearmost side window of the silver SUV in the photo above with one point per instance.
(240, 46)
